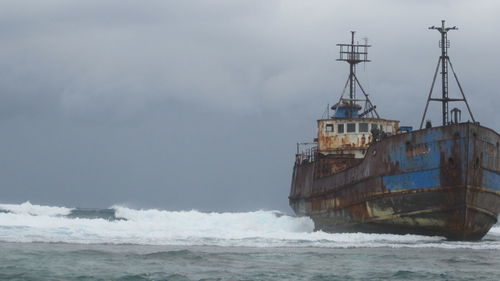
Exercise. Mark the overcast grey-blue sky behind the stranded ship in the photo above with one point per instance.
(186, 105)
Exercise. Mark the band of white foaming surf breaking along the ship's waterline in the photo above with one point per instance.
(121, 225)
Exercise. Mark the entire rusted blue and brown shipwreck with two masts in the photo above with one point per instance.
(365, 173)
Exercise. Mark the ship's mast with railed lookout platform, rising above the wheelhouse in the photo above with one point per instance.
(353, 54)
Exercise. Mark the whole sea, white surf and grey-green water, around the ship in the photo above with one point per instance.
(57, 243)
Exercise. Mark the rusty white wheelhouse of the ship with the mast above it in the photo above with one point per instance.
(344, 137)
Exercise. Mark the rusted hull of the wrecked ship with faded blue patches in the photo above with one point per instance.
(440, 181)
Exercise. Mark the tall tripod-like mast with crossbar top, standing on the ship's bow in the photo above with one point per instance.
(444, 61)
